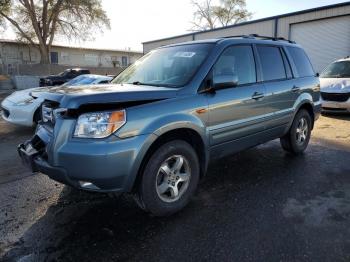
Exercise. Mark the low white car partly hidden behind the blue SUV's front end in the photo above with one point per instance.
(22, 109)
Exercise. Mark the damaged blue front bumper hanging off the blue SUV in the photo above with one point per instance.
(104, 165)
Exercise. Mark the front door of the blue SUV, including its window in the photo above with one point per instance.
(236, 113)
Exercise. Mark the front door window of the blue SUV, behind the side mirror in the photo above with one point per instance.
(238, 62)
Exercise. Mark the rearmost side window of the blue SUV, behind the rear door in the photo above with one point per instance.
(301, 61)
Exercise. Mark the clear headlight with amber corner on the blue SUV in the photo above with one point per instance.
(99, 124)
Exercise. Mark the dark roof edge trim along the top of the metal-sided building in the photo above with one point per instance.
(255, 21)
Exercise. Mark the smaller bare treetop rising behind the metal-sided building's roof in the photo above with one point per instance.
(210, 16)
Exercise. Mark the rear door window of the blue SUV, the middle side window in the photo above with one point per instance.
(271, 63)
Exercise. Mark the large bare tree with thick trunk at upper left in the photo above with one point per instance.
(41, 21)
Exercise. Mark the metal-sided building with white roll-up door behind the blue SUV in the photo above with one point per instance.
(324, 32)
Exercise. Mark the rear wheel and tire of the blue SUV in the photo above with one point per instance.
(298, 136)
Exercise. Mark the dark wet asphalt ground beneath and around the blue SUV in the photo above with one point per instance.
(259, 205)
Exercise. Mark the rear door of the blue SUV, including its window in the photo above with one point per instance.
(279, 84)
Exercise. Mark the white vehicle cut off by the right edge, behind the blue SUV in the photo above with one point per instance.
(335, 86)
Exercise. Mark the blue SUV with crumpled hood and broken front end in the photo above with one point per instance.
(154, 129)
